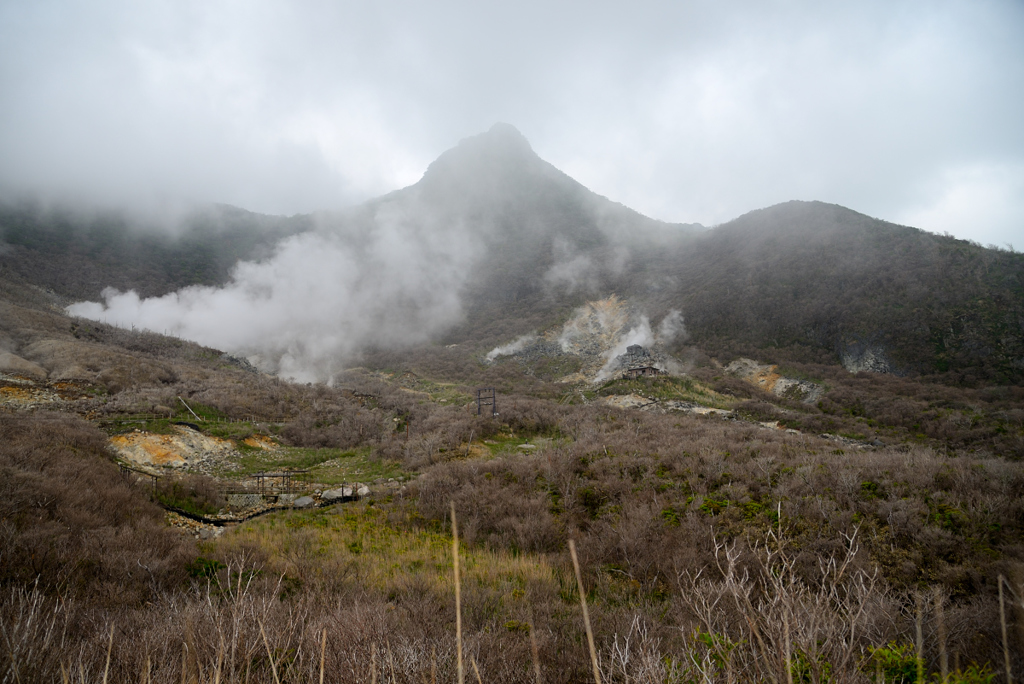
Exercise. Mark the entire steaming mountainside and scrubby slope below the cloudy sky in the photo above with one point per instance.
(172, 514)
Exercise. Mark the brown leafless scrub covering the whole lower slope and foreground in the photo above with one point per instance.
(713, 550)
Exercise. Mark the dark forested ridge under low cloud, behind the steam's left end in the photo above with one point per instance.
(77, 255)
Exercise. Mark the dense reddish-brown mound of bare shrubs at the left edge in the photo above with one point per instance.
(71, 524)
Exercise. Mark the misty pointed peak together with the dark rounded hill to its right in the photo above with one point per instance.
(805, 281)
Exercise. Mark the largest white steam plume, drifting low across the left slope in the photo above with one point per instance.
(320, 298)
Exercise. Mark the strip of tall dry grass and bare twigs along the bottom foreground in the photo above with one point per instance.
(736, 624)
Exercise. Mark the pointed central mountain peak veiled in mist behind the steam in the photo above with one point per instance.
(544, 241)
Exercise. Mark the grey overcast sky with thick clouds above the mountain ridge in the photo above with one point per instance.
(911, 112)
